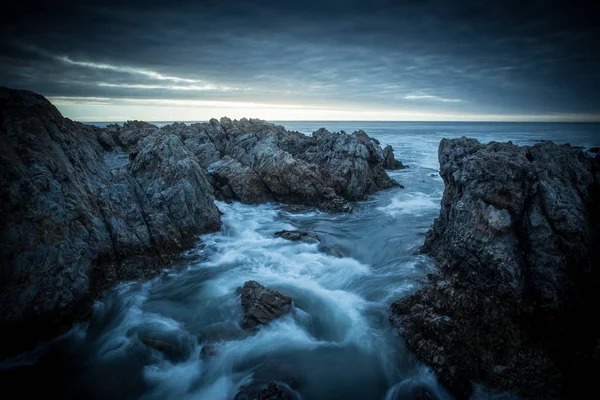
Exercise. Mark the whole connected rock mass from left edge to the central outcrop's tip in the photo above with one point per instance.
(84, 208)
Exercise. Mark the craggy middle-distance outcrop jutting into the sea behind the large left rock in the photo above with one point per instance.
(254, 161)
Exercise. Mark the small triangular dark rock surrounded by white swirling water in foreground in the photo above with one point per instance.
(261, 305)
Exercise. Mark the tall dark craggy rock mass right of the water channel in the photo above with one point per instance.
(517, 245)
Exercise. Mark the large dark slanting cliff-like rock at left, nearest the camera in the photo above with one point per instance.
(77, 217)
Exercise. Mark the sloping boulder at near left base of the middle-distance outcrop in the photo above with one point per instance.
(232, 180)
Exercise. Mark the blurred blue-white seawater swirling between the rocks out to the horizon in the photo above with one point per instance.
(337, 342)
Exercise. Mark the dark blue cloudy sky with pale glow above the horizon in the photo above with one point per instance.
(416, 60)
